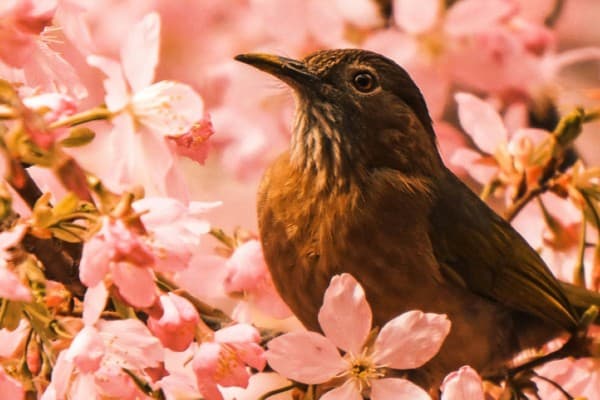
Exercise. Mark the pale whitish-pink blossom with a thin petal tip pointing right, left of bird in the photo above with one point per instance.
(175, 229)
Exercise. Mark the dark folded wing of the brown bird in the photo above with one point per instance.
(480, 250)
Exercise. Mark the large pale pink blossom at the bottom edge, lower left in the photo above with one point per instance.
(92, 367)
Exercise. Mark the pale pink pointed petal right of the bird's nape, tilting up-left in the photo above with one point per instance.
(481, 122)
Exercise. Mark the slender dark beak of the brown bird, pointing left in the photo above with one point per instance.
(292, 72)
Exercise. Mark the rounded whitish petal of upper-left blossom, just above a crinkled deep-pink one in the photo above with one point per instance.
(168, 108)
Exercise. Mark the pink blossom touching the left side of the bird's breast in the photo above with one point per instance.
(247, 274)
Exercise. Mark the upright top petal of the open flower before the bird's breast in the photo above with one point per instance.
(345, 316)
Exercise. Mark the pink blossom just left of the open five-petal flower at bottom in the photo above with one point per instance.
(223, 360)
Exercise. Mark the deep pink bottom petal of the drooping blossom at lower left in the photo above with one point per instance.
(135, 284)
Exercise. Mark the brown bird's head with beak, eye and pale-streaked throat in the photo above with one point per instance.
(356, 111)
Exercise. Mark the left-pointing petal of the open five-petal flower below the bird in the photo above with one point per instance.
(305, 357)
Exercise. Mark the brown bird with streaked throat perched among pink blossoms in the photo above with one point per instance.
(363, 190)
